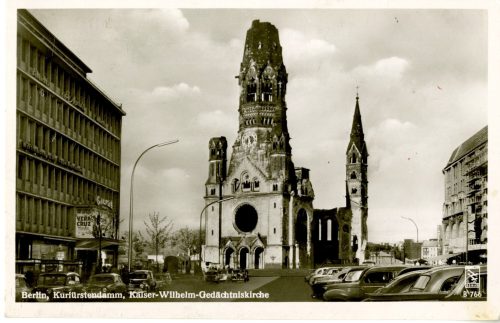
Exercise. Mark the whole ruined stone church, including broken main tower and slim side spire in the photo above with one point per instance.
(266, 217)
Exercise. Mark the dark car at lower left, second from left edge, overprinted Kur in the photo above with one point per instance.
(57, 286)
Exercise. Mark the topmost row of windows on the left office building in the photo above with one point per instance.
(40, 65)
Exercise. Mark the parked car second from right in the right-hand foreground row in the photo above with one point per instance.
(433, 284)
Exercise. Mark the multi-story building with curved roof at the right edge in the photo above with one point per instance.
(466, 196)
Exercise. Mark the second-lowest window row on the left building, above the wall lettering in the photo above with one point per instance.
(40, 178)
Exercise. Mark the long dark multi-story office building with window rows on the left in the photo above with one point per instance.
(68, 158)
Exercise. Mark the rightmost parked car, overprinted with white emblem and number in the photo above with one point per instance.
(462, 292)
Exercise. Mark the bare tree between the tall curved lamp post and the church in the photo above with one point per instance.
(158, 230)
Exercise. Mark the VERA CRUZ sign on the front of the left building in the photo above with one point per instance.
(87, 224)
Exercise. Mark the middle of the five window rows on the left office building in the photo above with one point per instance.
(40, 140)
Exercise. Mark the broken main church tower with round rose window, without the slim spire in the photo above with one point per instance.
(265, 218)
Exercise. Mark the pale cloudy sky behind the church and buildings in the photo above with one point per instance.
(422, 77)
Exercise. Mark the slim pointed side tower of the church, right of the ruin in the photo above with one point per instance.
(357, 186)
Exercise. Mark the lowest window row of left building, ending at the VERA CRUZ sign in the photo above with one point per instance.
(43, 216)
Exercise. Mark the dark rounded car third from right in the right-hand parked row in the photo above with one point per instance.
(357, 284)
